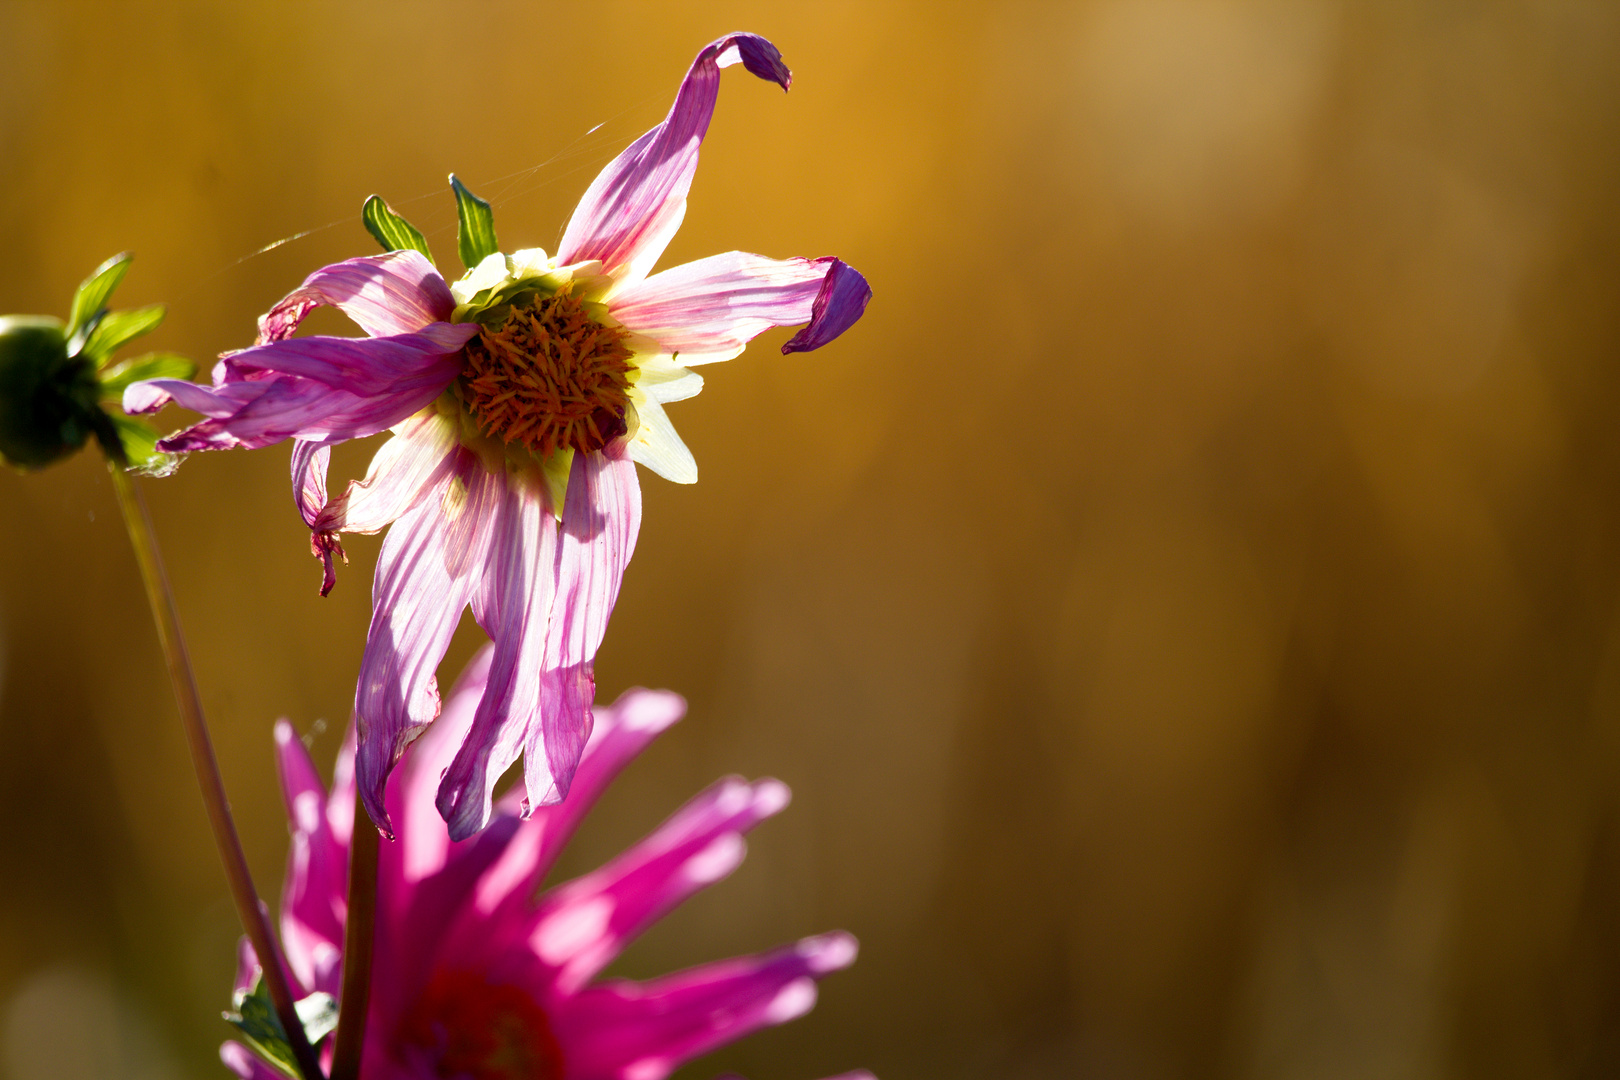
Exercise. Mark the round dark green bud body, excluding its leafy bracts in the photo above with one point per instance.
(48, 398)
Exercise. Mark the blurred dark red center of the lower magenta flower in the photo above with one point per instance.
(471, 1029)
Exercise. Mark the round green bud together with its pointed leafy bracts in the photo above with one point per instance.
(59, 386)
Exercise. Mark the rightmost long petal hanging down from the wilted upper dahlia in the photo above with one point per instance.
(595, 542)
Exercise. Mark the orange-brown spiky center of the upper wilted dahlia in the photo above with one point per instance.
(550, 378)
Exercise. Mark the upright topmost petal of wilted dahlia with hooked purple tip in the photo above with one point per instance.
(636, 205)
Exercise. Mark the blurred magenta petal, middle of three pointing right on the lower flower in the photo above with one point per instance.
(581, 927)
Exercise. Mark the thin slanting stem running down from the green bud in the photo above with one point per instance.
(254, 916)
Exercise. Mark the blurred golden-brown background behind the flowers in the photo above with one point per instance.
(1185, 608)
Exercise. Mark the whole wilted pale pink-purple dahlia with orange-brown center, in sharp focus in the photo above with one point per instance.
(519, 399)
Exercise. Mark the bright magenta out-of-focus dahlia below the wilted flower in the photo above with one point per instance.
(474, 976)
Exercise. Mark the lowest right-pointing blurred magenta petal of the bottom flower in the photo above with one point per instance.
(646, 1031)
